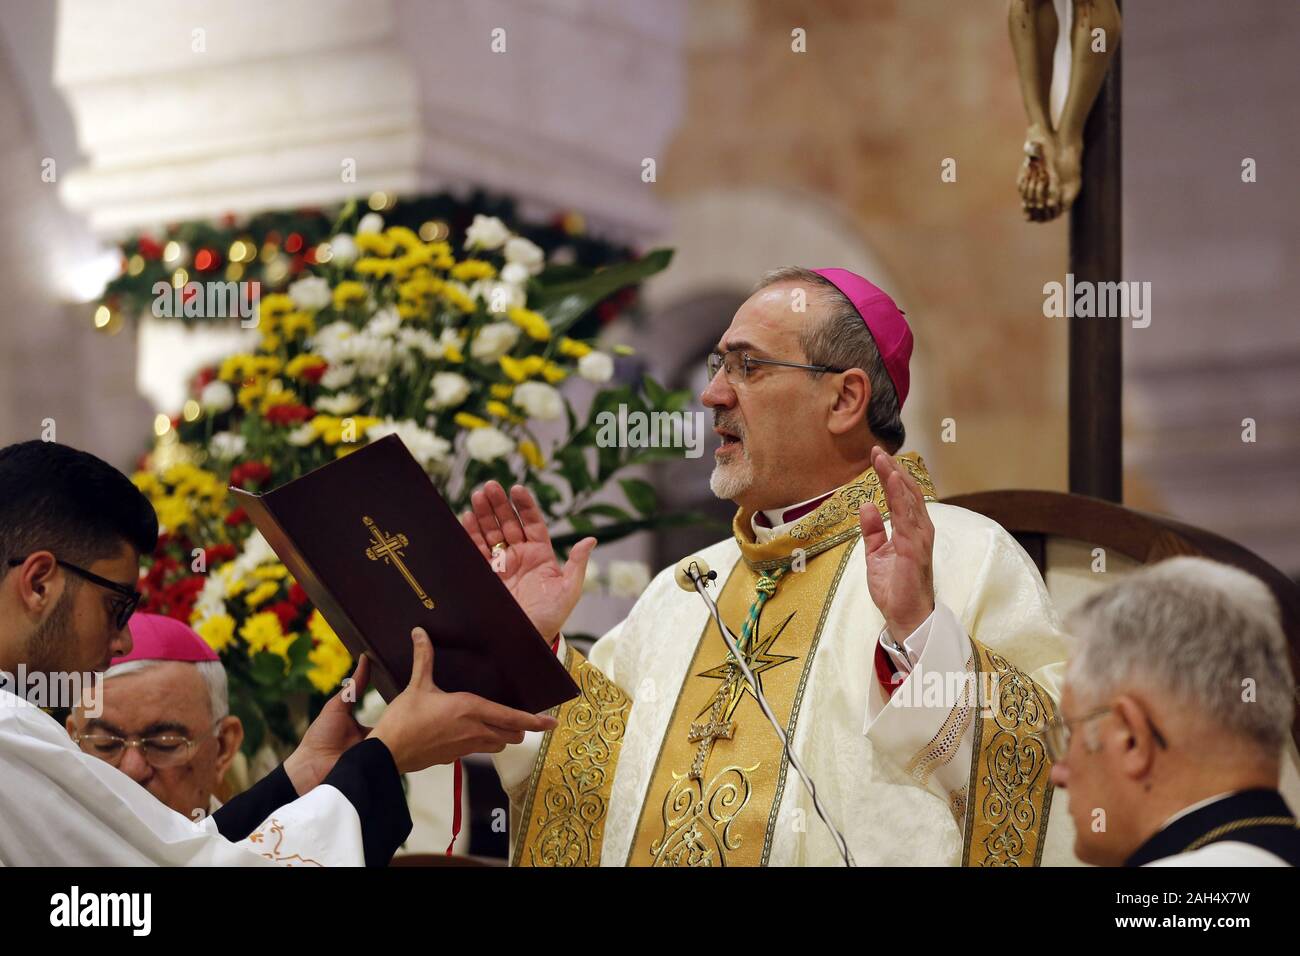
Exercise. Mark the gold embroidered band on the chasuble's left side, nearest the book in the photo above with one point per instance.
(569, 797)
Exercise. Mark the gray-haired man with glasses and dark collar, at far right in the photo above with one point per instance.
(1177, 704)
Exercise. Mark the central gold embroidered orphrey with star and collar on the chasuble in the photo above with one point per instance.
(714, 798)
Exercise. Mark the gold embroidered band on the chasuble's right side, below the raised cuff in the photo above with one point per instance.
(1011, 790)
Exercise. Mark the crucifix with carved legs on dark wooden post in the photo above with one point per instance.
(1077, 168)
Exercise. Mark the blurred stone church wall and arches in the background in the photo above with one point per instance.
(112, 123)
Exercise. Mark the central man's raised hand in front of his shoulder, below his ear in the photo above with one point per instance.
(900, 569)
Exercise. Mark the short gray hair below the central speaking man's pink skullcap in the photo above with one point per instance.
(842, 340)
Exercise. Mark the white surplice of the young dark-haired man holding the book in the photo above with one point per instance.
(60, 807)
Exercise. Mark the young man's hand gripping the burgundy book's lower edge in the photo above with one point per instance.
(426, 725)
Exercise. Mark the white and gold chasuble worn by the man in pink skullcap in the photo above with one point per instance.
(666, 759)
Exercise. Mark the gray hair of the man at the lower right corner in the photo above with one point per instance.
(1199, 631)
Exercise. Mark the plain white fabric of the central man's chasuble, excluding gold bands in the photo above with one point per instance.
(852, 739)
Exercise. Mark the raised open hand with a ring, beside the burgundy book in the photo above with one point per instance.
(527, 565)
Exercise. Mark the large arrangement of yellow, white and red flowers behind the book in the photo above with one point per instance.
(462, 353)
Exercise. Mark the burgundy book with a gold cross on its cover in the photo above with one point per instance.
(379, 552)
